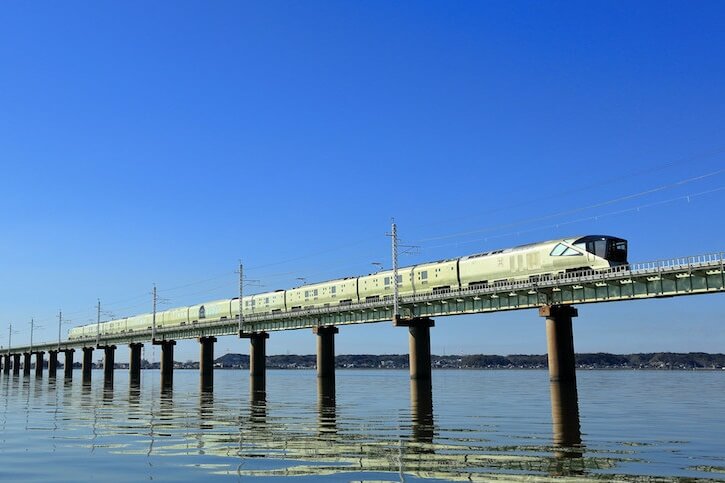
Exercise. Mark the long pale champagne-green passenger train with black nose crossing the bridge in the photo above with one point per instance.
(531, 262)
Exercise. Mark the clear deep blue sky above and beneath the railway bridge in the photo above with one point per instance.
(159, 143)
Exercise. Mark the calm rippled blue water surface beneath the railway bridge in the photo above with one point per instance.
(479, 426)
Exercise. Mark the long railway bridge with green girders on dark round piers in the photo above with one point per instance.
(554, 298)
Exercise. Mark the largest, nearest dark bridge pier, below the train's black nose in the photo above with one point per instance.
(560, 342)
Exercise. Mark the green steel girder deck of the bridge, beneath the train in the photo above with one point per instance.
(664, 278)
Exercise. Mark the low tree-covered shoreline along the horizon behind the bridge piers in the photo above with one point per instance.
(601, 360)
